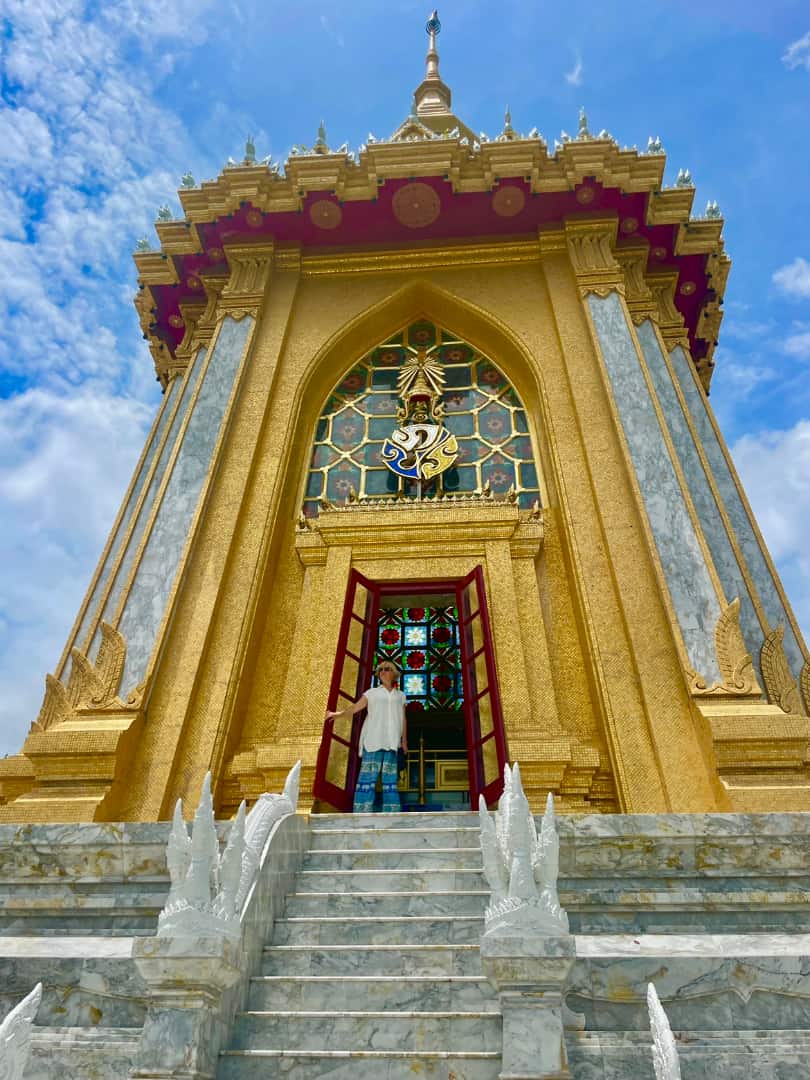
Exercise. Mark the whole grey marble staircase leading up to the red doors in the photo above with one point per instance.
(374, 969)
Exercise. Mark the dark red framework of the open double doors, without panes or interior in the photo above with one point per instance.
(342, 799)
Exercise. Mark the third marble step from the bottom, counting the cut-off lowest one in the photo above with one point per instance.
(377, 993)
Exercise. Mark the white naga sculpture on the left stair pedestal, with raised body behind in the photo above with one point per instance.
(209, 890)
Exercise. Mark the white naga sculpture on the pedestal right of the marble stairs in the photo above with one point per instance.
(521, 867)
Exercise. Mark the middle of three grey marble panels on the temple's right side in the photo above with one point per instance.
(706, 506)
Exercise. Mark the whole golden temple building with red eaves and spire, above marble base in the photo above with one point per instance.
(444, 401)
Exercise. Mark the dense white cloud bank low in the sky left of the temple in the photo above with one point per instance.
(65, 463)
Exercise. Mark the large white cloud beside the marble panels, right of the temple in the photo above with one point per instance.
(775, 468)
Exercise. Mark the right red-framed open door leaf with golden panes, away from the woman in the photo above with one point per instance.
(487, 746)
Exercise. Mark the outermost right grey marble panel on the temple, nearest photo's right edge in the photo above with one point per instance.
(764, 579)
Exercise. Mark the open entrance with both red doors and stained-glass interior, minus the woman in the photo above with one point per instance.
(439, 636)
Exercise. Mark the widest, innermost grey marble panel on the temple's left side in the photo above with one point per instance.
(156, 574)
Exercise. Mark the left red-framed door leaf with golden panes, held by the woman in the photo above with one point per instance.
(339, 758)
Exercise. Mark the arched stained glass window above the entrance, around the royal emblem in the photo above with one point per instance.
(483, 412)
